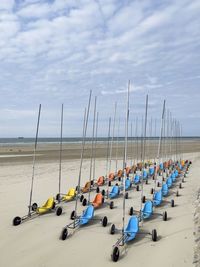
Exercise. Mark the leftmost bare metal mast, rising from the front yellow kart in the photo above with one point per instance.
(34, 157)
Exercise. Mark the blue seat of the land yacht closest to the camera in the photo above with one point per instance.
(132, 228)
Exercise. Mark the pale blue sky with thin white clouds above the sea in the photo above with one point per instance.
(56, 51)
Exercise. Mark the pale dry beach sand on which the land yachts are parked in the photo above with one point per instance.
(36, 242)
